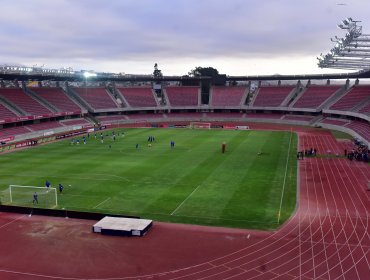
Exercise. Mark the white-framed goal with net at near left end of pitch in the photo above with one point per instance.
(24, 196)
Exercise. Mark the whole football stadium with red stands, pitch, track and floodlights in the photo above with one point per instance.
(201, 176)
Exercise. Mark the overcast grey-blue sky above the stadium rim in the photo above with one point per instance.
(237, 37)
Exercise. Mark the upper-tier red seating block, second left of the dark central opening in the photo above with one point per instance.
(138, 96)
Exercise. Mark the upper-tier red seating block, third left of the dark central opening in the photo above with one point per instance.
(97, 98)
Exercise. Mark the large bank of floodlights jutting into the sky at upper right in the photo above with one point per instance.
(351, 52)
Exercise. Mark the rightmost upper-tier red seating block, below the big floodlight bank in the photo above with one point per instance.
(357, 95)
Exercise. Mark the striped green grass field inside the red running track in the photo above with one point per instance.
(190, 183)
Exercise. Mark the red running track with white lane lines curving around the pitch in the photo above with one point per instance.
(326, 238)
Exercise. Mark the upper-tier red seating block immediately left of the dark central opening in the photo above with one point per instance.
(182, 96)
